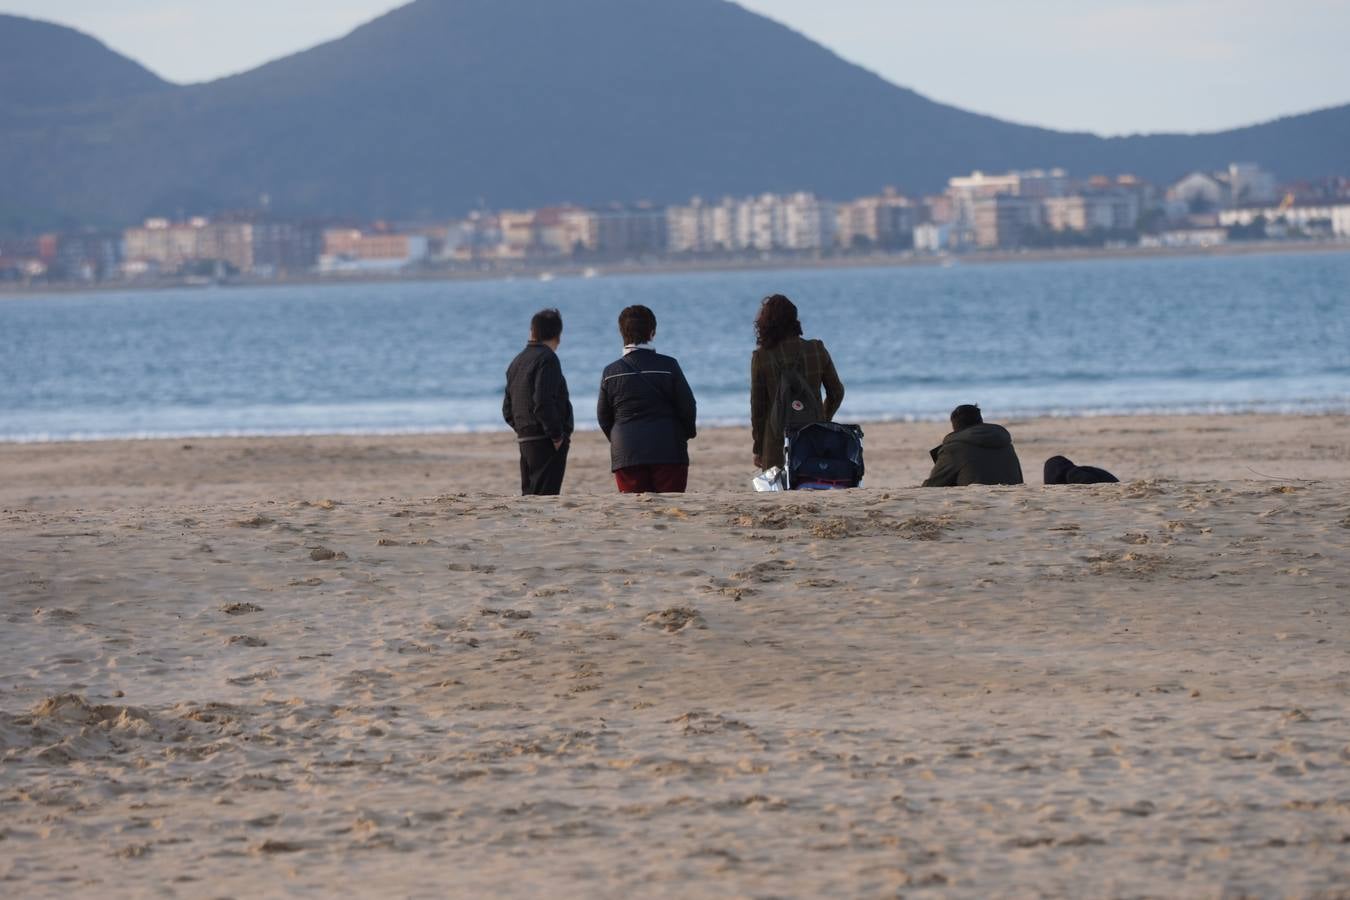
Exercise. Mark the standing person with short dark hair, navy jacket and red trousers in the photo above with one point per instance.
(647, 412)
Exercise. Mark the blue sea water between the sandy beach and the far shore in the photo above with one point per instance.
(1214, 335)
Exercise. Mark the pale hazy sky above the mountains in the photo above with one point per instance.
(1100, 65)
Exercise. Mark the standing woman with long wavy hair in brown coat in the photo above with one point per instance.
(780, 335)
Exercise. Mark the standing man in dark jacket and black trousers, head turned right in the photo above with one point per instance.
(538, 408)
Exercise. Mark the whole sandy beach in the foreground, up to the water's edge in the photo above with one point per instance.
(358, 666)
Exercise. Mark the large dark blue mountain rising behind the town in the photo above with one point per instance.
(442, 106)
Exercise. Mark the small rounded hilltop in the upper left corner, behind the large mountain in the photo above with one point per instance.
(45, 65)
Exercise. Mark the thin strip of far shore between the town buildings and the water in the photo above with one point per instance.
(572, 269)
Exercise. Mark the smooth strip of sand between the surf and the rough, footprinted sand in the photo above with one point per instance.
(236, 470)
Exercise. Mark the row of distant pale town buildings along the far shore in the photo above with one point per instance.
(979, 213)
